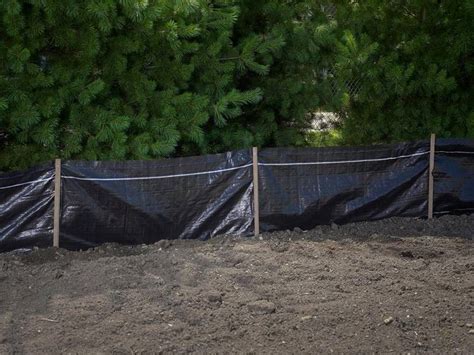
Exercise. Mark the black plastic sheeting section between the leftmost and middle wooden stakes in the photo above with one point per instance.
(145, 201)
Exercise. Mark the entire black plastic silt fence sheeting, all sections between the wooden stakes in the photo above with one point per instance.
(136, 202)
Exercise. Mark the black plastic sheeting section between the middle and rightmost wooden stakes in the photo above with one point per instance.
(306, 187)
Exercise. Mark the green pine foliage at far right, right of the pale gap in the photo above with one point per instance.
(415, 62)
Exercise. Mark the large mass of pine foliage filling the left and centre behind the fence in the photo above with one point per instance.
(134, 79)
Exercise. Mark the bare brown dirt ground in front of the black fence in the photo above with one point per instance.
(398, 285)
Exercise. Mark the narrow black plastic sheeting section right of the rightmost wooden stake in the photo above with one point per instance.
(454, 176)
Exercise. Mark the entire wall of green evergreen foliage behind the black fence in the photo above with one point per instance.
(137, 79)
